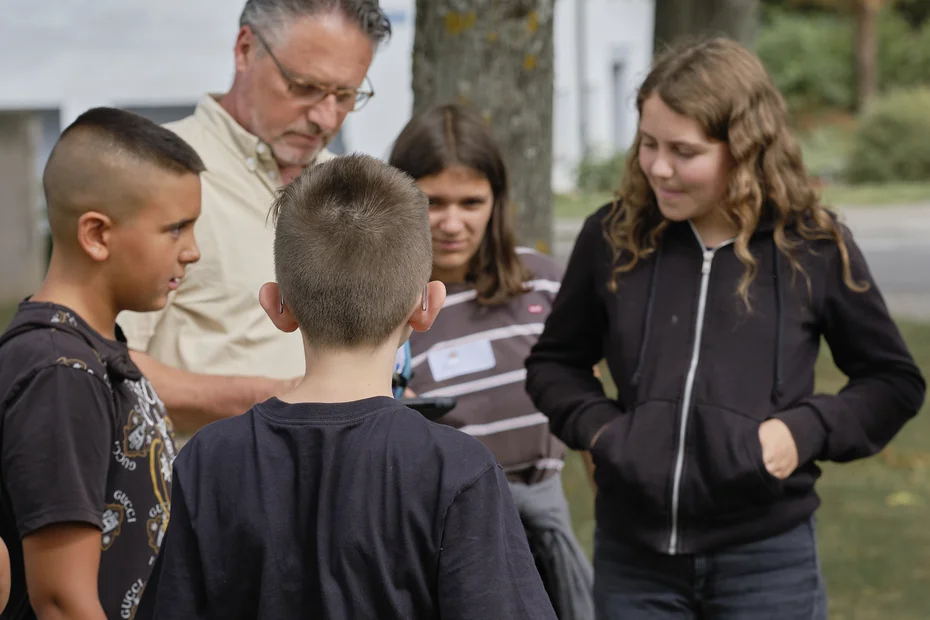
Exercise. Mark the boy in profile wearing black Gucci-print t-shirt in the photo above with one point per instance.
(85, 445)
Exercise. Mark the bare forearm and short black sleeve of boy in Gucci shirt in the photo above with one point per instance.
(58, 434)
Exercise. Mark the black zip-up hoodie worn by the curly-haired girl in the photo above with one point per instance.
(679, 467)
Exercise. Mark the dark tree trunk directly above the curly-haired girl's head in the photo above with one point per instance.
(681, 19)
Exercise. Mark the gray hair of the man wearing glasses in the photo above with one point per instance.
(269, 16)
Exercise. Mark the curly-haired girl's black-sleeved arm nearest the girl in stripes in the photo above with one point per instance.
(559, 369)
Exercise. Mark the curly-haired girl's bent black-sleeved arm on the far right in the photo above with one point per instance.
(885, 387)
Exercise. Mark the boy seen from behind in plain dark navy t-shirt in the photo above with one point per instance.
(335, 500)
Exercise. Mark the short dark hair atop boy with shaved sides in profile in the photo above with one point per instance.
(137, 137)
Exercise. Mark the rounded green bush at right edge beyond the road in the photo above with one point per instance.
(892, 139)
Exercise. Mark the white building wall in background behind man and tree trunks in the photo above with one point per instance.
(69, 55)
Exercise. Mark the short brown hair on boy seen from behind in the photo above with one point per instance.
(352, 250)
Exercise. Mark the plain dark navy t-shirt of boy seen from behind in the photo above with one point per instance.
(350, 510)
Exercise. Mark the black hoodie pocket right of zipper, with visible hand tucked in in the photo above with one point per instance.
(724, 471)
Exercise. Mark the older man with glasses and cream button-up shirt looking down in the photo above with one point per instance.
(301, 67)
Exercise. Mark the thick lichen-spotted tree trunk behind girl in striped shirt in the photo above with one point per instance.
(497, 57)
